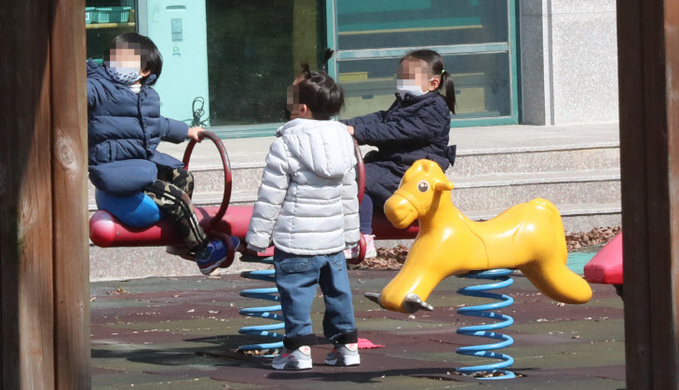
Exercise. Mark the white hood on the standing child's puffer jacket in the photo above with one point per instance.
(324, 147)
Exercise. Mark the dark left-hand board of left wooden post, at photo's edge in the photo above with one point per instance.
(26, 207)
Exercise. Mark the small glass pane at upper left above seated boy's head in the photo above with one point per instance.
(104, 20)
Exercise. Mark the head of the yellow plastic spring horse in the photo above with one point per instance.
(422, 183)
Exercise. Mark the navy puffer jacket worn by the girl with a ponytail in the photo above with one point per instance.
(412, 129)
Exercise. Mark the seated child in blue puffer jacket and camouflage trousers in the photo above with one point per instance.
(124, 130)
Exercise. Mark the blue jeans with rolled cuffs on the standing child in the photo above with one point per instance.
(296, 278)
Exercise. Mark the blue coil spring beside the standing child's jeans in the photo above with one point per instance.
(270, 312)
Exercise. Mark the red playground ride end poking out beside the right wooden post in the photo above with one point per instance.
(606, 266)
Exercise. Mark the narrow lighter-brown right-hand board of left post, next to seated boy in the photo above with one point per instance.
(69, 195)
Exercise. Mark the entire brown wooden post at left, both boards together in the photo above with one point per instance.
(44, 297)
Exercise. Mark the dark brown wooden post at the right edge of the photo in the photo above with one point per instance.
(648, 47)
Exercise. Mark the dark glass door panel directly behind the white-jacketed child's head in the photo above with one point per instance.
(255, 52)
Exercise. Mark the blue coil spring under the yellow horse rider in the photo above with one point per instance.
(487, 330)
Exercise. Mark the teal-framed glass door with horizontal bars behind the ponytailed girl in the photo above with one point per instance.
(477, 39)
